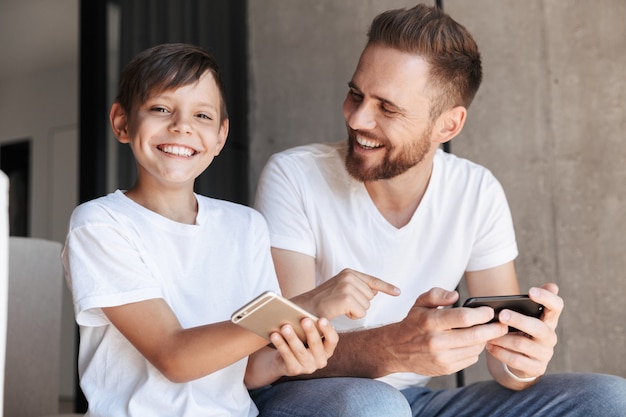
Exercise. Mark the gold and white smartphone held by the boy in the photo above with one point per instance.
(268, 312)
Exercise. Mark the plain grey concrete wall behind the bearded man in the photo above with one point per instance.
(549, 121)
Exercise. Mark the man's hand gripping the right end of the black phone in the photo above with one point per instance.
(528, 352)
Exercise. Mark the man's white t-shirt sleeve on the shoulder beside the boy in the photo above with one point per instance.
(283, 203)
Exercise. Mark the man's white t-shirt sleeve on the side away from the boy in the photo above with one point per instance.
(495, 242)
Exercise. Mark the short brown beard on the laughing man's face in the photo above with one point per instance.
(405, 159)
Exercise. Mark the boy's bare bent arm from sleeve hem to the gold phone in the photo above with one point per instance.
(181, 354)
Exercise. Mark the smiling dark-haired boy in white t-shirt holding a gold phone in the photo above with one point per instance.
(156, 271)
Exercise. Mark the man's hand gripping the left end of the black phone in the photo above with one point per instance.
(440, 341)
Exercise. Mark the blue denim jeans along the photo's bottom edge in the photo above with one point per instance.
(568, 395)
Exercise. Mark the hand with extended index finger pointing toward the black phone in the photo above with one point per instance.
(348, 292)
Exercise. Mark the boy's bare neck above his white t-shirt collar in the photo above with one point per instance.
(179, 206)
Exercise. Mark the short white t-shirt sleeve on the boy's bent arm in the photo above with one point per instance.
(104, 269)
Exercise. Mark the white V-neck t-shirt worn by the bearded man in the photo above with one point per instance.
(314, 207)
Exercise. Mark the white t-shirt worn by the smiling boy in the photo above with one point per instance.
(118, 252)
